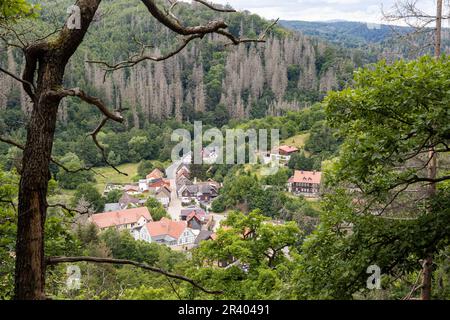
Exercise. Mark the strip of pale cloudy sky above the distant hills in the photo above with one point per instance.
(320, 10)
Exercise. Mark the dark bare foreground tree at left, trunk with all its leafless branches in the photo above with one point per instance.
(42, 80)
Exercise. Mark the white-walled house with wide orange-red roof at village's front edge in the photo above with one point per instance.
(166, 231)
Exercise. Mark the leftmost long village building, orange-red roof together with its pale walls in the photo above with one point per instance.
(122, 219)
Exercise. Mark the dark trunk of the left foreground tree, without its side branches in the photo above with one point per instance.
(45, 64)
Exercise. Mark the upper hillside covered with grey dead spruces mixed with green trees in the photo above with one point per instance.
(207, 81)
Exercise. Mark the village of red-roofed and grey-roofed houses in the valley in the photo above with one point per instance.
(186, 200)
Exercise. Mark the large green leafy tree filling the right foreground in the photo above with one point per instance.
(392, 115)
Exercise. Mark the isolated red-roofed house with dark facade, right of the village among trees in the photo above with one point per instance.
(305, 183)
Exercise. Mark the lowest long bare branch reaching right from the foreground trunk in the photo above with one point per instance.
(57, 260)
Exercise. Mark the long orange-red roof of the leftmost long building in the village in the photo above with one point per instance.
(117, 218)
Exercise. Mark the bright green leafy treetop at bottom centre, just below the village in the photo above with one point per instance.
(255, 251)
